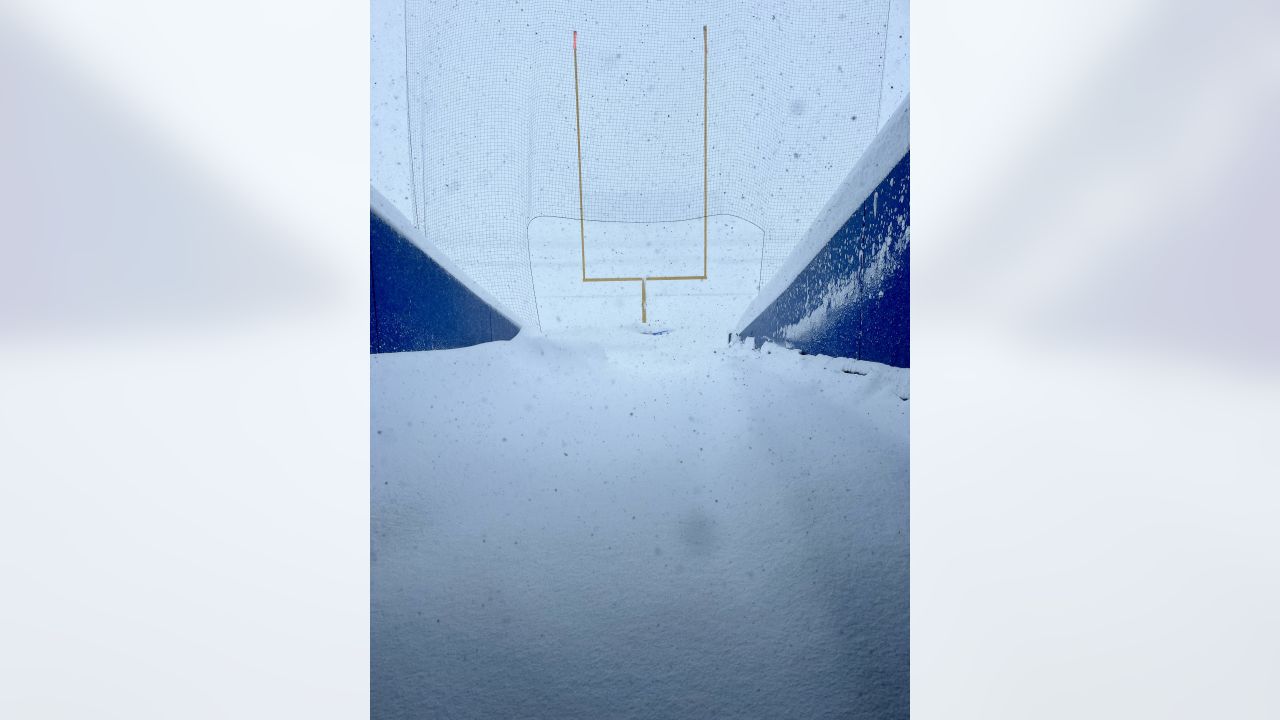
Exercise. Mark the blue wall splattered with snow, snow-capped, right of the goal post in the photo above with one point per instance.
(847, 289)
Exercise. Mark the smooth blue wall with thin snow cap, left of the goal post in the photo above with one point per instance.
(419, 300)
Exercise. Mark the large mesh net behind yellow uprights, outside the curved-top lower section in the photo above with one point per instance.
(794, 99)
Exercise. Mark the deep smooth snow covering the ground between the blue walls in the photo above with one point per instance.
(611, 525)
